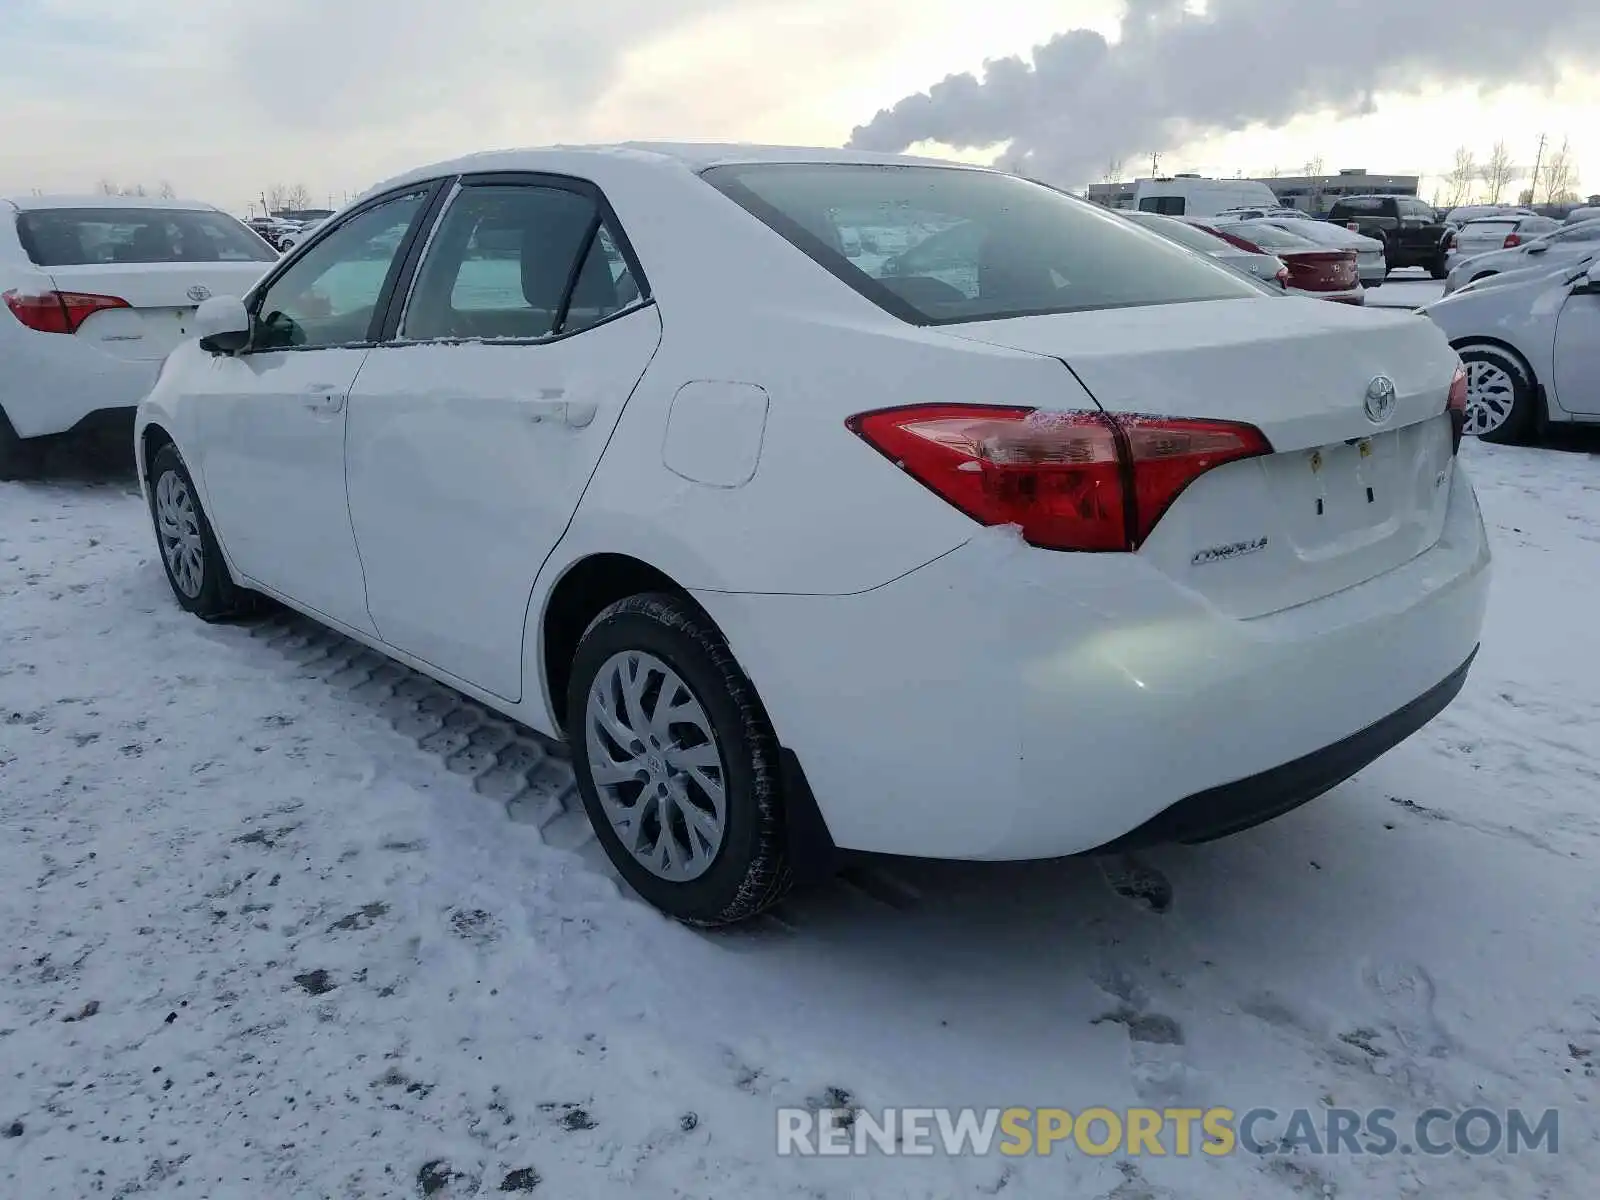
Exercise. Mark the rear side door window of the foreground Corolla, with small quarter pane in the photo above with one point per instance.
(502, 268)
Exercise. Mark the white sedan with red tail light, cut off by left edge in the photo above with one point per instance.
(94, 294)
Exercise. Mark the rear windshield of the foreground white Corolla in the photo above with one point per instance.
(937, 246)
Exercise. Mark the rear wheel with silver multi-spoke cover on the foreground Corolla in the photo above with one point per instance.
(678, 762)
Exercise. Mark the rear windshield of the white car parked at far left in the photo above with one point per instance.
(74, 238)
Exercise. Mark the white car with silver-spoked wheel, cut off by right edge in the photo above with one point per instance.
(1532, 350)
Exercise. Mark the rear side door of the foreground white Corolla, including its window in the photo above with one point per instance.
(476, 430)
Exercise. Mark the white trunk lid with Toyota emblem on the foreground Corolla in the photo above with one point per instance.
(1340, 502)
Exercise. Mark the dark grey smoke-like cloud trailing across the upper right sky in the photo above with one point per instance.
(1172, 78)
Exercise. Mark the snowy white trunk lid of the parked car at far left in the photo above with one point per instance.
(162, 298)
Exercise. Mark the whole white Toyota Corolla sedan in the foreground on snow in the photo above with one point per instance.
(1073, 540)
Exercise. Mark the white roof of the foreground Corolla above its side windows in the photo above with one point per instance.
(666, 156)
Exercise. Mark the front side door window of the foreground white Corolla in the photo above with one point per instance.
(330, 294)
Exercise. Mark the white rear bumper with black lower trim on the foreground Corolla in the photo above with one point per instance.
(1009, 703)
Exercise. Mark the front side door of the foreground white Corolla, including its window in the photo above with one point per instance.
(273, 417)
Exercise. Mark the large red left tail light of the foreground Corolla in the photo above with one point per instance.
(1071, 481)
